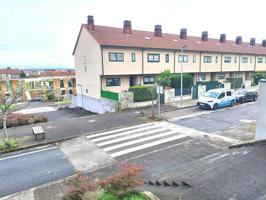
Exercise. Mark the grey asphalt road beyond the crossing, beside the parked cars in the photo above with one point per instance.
(222, 119)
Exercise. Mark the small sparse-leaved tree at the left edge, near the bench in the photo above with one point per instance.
(7, 101)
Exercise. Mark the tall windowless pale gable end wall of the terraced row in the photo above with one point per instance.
(88, 65)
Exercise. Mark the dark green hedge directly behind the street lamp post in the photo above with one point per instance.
(176, 81)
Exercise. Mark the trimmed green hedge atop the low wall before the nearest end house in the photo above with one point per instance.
(144, 93)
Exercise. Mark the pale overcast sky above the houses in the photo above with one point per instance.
(43, 33)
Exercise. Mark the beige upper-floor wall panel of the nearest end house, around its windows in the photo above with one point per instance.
(126, 67)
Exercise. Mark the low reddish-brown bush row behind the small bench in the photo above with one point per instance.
(15, 119)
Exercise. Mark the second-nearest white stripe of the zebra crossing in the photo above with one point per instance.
(139, 140)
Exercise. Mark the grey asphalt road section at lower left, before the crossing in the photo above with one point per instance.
(31, 168)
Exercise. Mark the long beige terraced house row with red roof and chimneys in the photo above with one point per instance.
(112, 59)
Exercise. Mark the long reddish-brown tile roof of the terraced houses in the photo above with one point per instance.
(143, 39)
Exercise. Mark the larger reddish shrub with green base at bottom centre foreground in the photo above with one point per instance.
(124, 181)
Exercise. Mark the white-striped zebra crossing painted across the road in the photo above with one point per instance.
(132, 139)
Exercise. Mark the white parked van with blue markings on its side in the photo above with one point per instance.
(217, 98)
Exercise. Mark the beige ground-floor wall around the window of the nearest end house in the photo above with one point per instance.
(124, 84)
